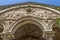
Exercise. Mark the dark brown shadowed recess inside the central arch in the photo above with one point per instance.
(28, 31)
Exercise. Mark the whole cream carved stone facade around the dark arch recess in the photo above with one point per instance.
(28, 13)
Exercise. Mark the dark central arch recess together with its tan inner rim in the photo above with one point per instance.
(28, 30)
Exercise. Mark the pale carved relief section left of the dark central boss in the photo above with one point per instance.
(14, 14)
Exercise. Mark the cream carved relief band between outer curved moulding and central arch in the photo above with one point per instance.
(40, 13)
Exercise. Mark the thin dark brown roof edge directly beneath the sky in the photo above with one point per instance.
(27, 3)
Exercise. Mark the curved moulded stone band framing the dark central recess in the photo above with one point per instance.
(29, 19)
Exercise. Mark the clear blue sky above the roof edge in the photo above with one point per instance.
(50, 2)
